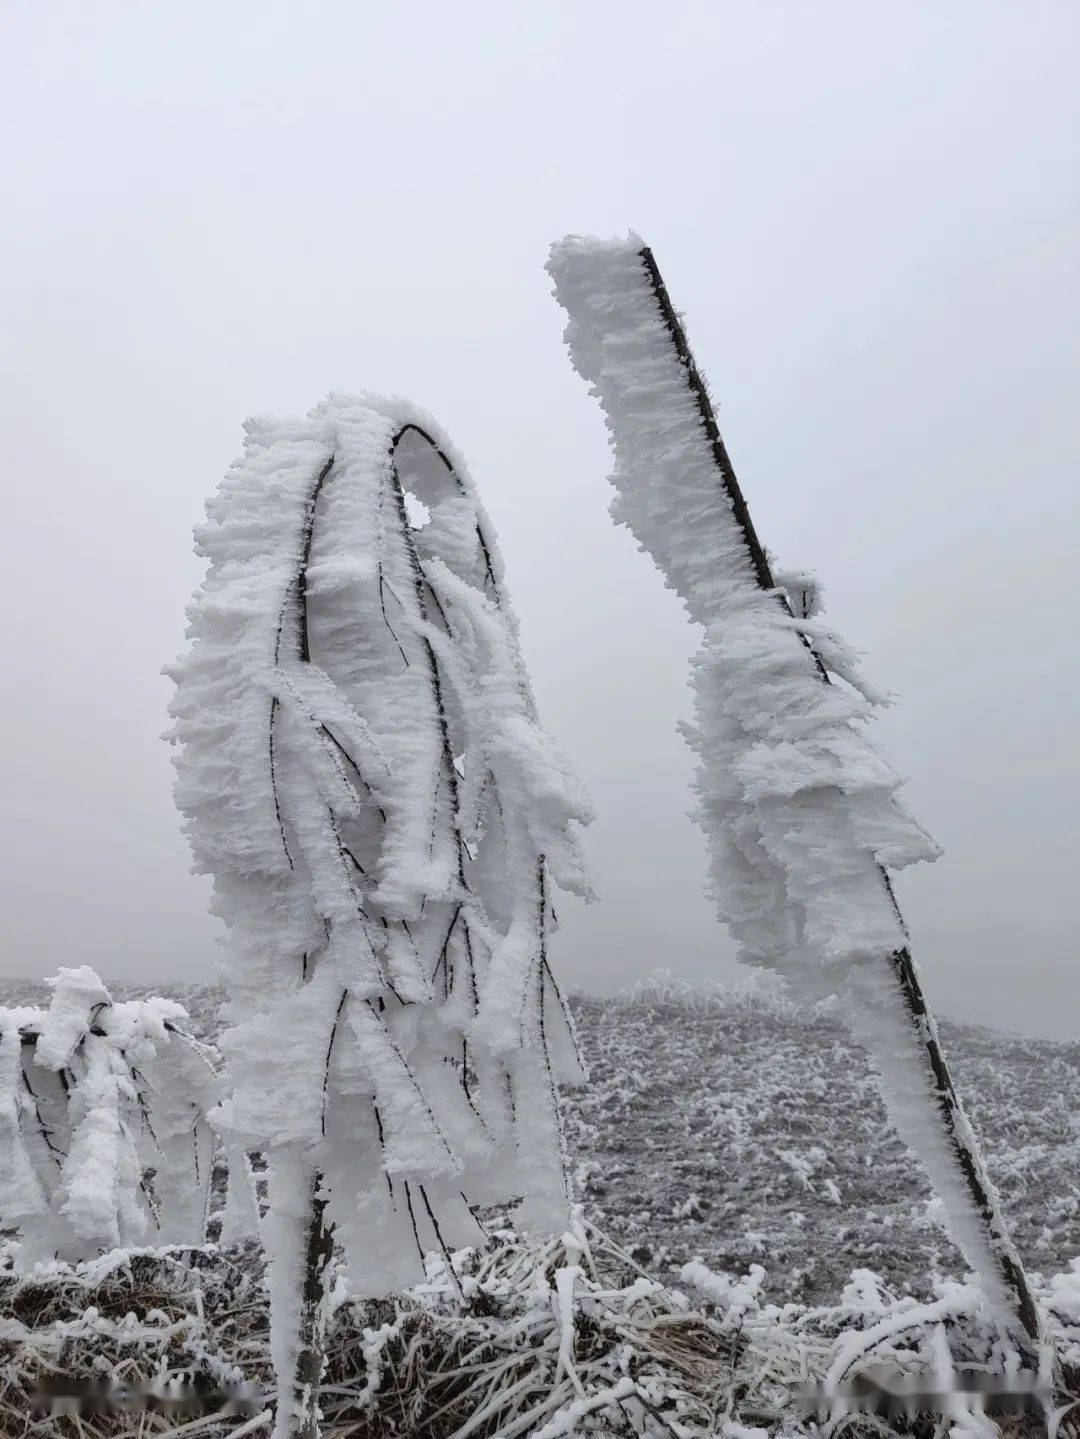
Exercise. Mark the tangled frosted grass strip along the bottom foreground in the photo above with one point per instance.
(524, 1338)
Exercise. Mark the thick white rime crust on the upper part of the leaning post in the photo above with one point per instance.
(799, 808)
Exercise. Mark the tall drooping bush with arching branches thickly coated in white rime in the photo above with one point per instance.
(363, 773)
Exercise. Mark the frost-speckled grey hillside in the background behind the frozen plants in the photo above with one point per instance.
(738, 1130)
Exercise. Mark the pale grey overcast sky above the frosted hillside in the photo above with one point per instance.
(871, 217)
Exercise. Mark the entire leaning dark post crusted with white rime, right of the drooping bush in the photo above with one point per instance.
(800, 811)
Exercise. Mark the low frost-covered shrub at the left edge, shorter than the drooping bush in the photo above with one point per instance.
(103, 1117)
